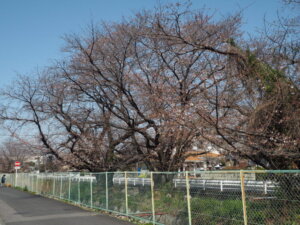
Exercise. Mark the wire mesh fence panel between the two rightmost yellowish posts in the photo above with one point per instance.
(215, 198)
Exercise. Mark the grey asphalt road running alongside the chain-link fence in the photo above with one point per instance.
(21, 208)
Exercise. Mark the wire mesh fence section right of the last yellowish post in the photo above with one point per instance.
(275, 198)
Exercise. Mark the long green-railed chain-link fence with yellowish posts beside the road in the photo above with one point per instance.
(204, 197)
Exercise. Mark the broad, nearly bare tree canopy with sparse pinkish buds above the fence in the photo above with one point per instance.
(150, 87)
